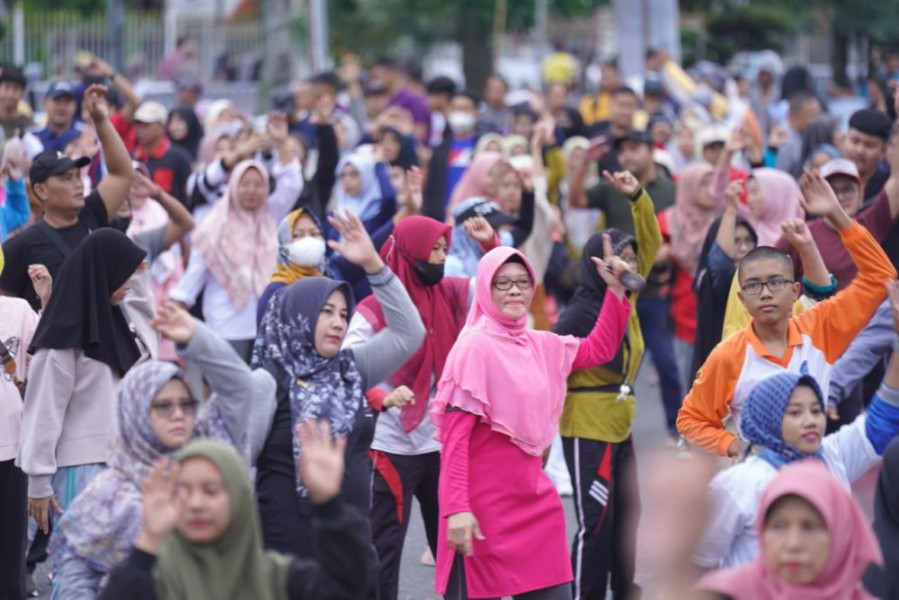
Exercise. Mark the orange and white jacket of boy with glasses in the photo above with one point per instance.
(816, 338)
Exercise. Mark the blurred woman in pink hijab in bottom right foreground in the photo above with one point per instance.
(816, 543)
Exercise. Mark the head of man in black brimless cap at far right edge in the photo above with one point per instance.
(866, 145)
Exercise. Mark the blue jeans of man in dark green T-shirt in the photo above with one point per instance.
(659, 339)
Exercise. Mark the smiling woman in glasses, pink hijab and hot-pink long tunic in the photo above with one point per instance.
(497, 409)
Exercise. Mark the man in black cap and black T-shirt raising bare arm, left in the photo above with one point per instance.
(68, 216)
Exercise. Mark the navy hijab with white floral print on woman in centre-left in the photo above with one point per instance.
(317, 387)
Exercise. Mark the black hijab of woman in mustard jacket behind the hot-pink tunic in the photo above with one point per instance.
(580, 315)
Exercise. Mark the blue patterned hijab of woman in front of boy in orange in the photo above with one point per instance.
(761, 421)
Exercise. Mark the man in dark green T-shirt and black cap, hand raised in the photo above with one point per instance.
(635, 155)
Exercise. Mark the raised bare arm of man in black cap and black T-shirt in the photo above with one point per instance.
(115, 186)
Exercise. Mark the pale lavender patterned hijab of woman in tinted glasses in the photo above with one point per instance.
(101, 524)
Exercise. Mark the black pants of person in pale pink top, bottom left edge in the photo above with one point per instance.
(13, 530)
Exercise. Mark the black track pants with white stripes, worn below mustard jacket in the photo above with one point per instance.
(607, 503)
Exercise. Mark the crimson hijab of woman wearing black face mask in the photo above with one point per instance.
(412, 240)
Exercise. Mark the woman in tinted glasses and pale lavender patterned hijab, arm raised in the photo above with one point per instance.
(157, 415)
